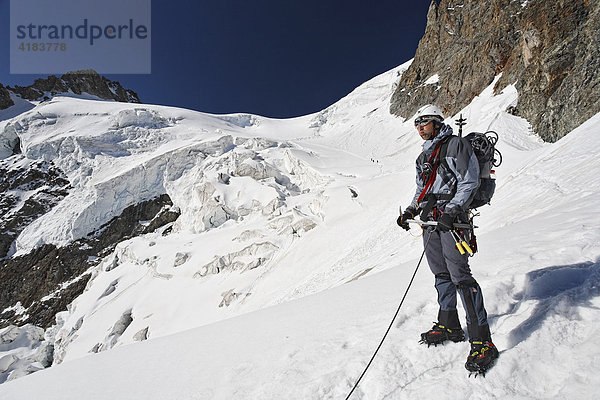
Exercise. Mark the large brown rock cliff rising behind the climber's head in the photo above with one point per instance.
(551, 50)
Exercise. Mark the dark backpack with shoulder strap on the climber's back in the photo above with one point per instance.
(483, 145)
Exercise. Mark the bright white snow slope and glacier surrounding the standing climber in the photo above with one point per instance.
(286, 265)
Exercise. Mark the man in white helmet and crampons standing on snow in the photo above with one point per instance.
(447, 178)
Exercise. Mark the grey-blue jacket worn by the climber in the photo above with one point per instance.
(456, 179)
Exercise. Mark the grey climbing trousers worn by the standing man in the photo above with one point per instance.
(452, 275)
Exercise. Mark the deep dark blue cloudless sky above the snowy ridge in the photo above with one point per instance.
(278, 58)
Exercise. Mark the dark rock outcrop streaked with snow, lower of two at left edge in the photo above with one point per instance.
(46, 280)
